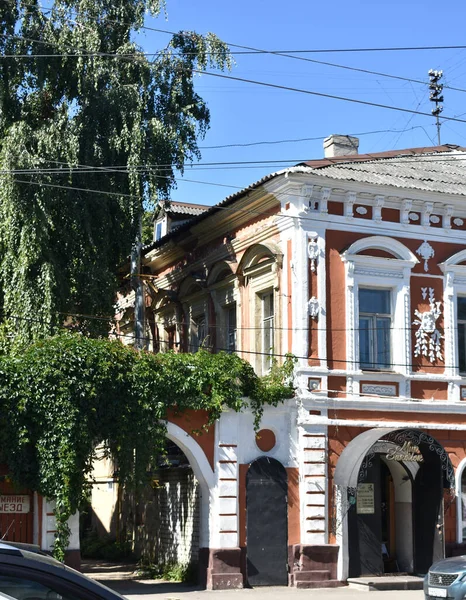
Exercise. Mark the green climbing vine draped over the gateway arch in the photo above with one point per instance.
(67, 395)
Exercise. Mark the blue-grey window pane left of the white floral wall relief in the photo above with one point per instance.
(375, 323)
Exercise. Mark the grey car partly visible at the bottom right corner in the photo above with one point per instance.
(446, 579)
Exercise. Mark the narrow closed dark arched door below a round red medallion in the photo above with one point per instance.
(267, 522)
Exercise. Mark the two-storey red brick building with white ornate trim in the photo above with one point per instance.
(357, 265)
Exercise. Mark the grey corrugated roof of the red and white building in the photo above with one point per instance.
(432, 168)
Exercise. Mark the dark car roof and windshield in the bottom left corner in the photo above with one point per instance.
(29, 574)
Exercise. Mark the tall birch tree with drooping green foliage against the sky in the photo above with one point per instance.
(82, 108)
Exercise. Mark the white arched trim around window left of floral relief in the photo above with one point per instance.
(388, 273)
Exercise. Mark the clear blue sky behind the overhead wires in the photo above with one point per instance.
(242, 113)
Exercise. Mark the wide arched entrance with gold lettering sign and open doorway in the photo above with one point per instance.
(391, 492)
